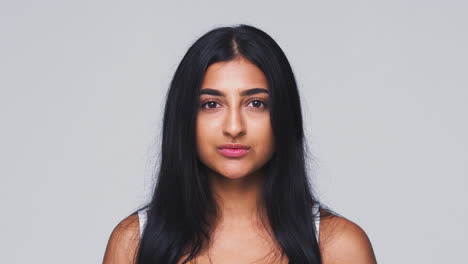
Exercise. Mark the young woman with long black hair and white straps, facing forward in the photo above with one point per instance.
(232, 184)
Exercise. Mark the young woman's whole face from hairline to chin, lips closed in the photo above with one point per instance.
(234, 110)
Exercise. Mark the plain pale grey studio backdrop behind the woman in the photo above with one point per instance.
(384, 87)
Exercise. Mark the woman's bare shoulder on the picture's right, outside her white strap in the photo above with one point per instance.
(343, 241)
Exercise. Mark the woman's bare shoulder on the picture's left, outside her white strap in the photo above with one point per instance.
(123, 242)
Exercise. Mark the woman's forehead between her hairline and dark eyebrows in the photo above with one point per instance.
(238, 74)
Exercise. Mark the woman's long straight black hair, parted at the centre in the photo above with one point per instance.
(182, 209)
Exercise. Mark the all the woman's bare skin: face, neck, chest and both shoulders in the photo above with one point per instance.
(239, 236)
